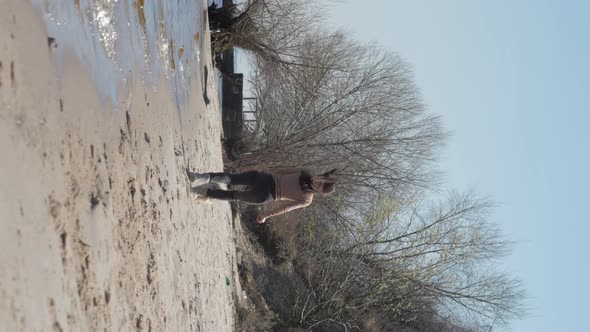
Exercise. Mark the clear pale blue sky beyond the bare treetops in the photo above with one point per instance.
(511, 81)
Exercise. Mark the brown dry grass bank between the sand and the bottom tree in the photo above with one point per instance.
(266, 272)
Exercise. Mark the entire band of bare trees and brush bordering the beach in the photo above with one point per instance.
(388, 252)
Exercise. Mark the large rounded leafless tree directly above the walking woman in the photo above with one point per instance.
(341, 104)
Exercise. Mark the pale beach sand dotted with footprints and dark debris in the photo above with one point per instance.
(98, 228)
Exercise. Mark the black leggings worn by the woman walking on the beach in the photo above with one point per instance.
(261, 187)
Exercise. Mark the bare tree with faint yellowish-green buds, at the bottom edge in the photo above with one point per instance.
(418, 265)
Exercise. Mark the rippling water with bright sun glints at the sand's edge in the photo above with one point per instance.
(119, 40)
